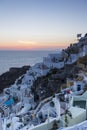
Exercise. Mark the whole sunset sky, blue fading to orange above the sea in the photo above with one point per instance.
(41, 24)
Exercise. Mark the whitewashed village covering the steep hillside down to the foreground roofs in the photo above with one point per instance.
(51, 95)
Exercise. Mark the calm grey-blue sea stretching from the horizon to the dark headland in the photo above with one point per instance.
(20, 58)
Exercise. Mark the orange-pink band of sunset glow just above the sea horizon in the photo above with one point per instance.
(31, 46)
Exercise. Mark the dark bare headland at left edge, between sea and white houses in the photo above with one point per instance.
(9, 77)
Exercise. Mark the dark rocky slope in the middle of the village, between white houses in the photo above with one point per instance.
(50, 84)
